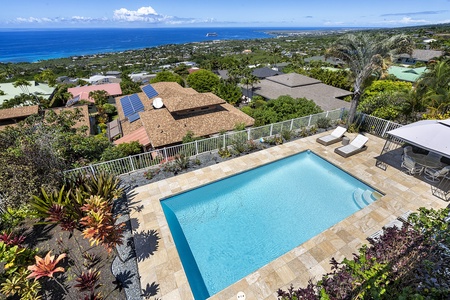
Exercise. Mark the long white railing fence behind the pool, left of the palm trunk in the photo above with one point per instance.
(154, 157)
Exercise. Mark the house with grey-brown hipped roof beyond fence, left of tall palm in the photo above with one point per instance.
(300, 86)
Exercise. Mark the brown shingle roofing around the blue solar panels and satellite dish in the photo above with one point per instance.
(164, 128)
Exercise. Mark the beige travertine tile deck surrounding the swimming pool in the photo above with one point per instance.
(162, 268)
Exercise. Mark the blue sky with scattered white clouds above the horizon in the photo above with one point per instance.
(215, 13)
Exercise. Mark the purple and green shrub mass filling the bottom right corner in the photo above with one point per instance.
(407, 263)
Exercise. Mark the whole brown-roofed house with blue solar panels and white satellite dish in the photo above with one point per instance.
(165, 112)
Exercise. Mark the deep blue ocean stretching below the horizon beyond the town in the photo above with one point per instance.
(31, 45)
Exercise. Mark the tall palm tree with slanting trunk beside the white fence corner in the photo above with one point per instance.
(365, 55)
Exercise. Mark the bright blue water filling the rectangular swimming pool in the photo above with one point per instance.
(228, 229)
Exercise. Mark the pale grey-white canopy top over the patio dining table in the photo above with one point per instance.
(432, 135)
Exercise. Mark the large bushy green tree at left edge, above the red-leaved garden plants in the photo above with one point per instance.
(35, 153)
